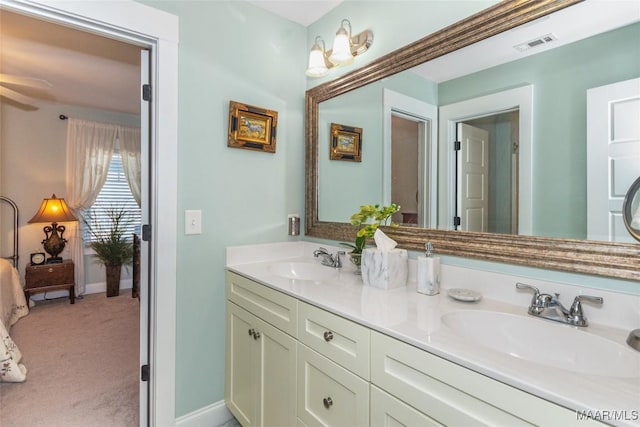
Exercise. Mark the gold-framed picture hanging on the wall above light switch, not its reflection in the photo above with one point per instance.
(252, 128)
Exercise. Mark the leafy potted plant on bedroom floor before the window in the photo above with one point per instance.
(112, 247)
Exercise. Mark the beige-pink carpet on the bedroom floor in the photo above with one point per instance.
(82, 364)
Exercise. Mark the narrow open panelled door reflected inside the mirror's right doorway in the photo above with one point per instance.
(473, 178)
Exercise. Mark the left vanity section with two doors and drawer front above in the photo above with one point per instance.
(260, 374)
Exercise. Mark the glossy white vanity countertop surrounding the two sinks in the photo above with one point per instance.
(416, 319)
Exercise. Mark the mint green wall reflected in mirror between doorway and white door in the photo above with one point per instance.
(560, 79)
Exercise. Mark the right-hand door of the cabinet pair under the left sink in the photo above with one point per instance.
(277, 376)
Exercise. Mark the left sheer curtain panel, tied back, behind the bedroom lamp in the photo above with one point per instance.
(89, 149)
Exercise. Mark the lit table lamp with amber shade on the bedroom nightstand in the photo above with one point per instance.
(53, 210)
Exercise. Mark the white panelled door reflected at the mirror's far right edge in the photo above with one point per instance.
(613, 156)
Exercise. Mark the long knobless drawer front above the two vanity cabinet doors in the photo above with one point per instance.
(272, 306)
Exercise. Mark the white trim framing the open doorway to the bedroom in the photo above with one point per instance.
(143, 25)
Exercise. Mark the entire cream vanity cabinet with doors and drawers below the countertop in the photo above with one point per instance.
(291, 363)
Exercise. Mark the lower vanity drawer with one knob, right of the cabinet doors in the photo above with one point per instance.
(329, 395)
